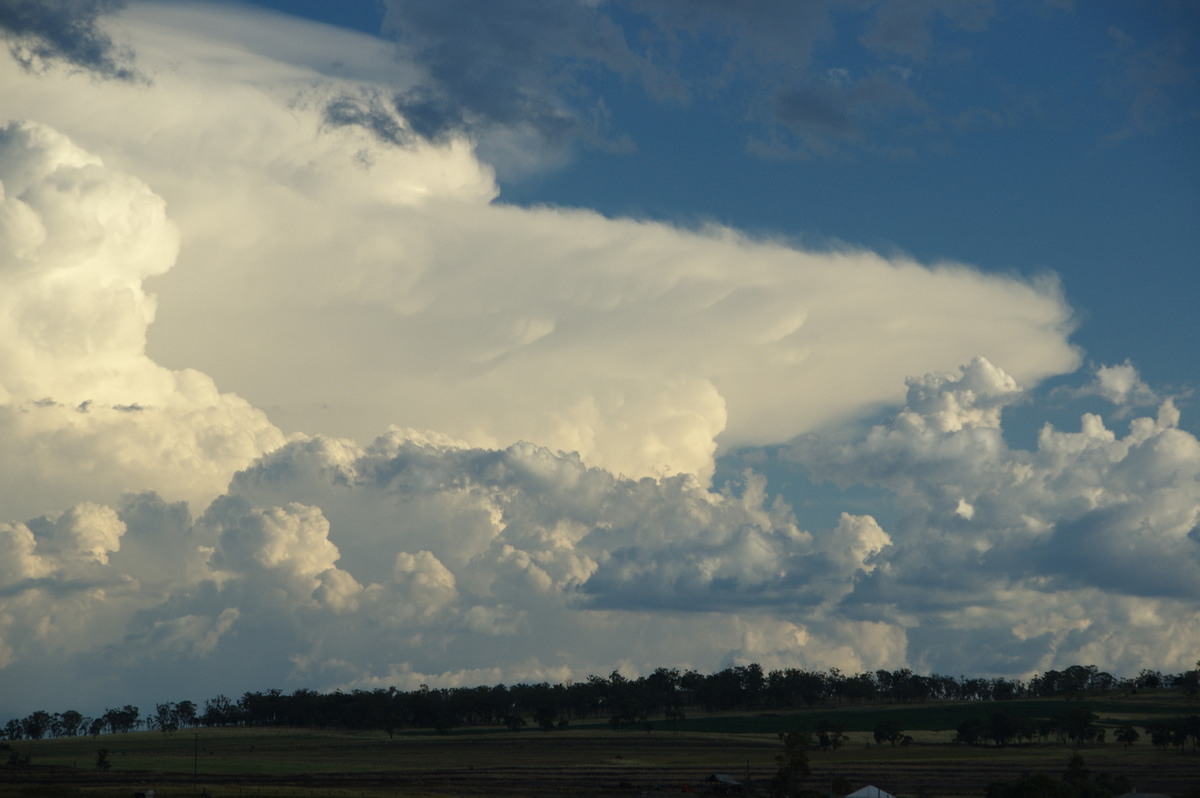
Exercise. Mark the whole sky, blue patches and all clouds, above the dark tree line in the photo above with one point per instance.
(400, 343)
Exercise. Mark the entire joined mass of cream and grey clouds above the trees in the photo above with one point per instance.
(346, 287)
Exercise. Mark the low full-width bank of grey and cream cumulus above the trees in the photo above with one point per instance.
(422, 560)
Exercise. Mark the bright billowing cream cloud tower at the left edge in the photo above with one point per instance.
(91, 412)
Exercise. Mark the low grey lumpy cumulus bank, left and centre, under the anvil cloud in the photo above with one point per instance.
(507, 563)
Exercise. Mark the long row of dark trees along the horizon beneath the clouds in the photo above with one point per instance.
(667, 693)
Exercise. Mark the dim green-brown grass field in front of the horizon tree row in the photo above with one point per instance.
(592, 759)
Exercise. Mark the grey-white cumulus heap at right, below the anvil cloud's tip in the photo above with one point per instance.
(1051, 549)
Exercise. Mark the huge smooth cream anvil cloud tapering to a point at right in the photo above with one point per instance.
(638, 345)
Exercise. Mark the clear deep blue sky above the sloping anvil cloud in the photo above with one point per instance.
(1047, 137)
